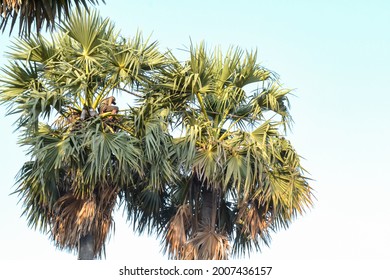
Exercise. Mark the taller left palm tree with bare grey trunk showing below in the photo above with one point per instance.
(82, 162)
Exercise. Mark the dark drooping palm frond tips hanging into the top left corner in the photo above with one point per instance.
(36, 12)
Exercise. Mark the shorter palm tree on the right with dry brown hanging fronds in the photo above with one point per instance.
(239, 176)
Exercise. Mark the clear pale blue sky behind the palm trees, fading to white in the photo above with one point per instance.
(335, 54)
